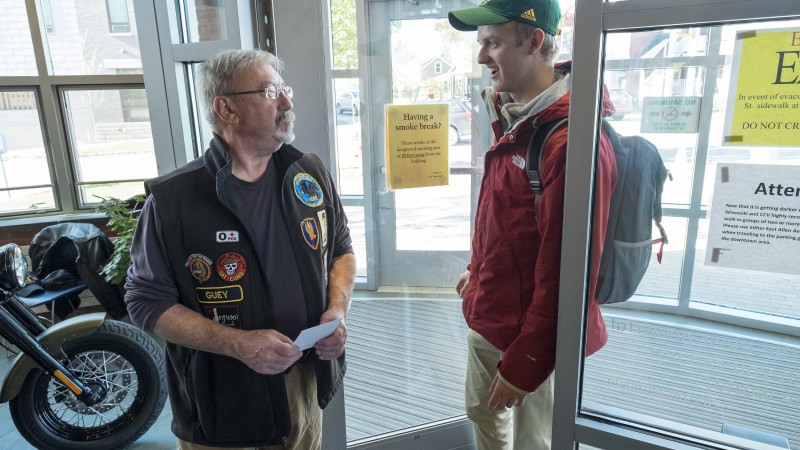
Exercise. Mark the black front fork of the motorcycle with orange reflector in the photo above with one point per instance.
(11, 314)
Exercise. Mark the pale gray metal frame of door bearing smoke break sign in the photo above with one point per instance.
(407, 267)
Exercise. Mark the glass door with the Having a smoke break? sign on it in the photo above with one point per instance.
(417, 58)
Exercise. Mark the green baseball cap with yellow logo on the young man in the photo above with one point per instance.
(544, 14)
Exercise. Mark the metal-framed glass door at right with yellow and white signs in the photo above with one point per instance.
(704, 355)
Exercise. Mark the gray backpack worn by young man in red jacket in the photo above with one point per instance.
(635, 206)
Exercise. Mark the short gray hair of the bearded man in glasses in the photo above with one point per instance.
(217, 75)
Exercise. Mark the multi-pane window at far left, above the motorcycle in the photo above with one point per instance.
(67, 141)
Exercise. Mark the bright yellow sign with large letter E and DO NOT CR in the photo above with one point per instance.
(764, 94)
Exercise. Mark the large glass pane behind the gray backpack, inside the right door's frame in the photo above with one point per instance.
(724, 336)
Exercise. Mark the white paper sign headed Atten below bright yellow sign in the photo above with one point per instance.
(755, 218)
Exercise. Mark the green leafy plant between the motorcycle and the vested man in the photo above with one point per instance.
(122, 218)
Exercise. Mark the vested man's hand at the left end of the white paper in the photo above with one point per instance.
(267, 351)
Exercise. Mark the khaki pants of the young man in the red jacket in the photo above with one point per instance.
(526, 427)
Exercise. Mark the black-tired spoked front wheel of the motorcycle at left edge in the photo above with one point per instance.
(121, 360)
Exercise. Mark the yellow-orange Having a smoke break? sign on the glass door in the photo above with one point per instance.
(416, 145)
